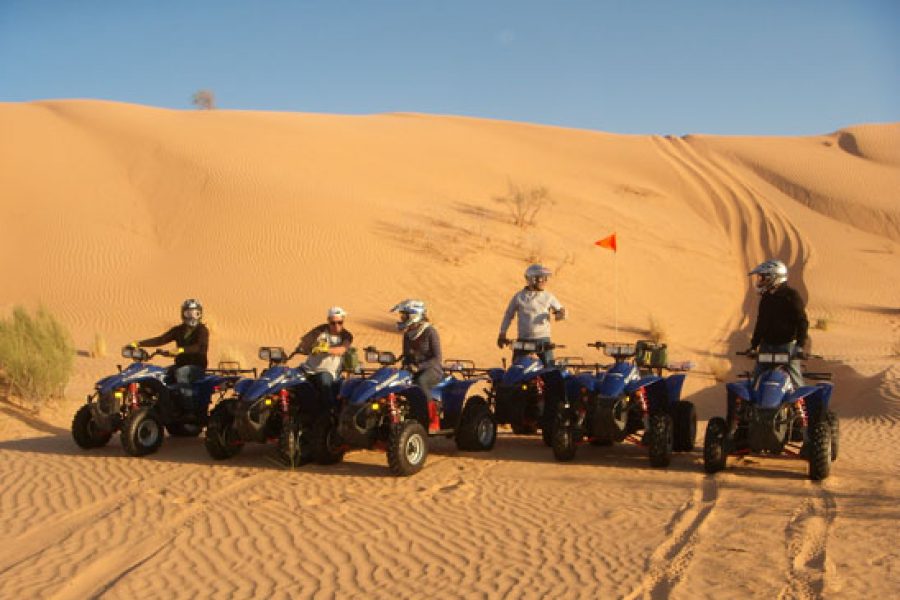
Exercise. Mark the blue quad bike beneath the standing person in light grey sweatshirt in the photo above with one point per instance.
(526, 394)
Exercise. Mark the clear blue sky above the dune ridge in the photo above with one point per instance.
(737, 66)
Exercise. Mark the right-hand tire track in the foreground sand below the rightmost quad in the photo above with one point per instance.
(806, 540)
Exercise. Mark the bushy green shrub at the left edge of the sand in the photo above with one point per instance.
(36, 354)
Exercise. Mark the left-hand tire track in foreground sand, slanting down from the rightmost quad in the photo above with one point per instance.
(665, 568)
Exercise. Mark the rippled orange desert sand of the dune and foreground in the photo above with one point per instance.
(112, 214)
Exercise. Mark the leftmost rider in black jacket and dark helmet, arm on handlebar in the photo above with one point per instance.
(191, 339)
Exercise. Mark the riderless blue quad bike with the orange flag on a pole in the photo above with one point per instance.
(622, 399)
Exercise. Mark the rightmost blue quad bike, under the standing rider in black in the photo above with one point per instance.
(769, 416)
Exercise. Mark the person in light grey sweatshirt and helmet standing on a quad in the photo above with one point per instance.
(532, 307)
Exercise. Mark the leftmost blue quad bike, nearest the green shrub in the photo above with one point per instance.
(143, 399)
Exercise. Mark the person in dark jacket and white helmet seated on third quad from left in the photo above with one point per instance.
(421, 345)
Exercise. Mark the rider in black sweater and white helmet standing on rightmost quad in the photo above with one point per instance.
(781, 323)
